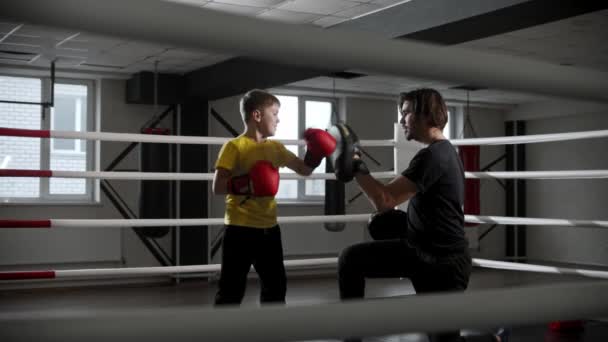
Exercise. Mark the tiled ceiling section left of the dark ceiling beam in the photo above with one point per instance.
(24, 44)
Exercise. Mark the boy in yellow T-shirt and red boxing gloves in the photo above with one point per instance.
(247, 172)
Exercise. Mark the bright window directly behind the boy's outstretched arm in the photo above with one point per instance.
(297, 114)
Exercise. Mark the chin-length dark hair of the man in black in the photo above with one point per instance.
(427, 104)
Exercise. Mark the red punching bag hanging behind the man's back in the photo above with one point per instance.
(470, 160)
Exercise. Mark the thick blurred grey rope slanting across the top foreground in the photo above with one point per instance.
(306, 46)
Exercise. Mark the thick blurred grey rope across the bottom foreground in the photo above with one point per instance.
(420, 313)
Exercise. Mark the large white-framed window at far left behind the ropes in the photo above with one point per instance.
(72, 111)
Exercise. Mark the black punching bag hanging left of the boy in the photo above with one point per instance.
(154, 195)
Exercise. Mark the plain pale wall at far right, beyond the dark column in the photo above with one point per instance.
(567, 199)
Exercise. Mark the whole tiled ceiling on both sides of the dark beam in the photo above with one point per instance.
(578, 40)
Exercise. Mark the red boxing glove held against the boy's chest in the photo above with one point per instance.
(262, 180)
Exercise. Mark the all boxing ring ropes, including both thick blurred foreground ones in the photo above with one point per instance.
(323, 49)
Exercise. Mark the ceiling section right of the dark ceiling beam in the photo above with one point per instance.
(579, 41)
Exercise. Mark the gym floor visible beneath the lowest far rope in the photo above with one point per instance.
(302, 289)
